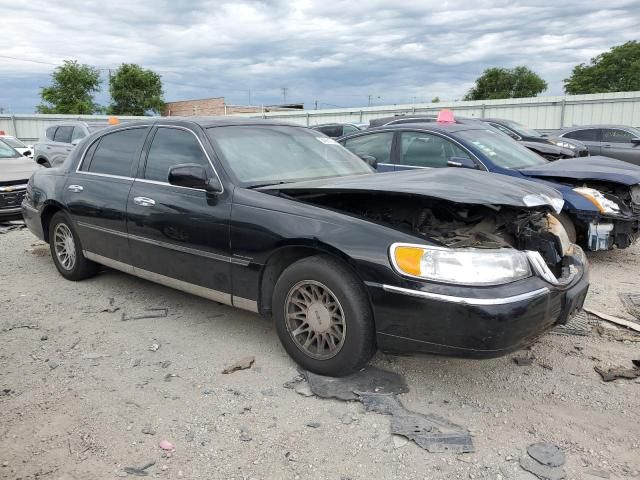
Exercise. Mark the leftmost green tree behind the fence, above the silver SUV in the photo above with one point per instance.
(72, 90)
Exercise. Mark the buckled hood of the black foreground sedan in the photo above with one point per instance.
(452, 184)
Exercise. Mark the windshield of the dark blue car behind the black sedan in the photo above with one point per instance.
(502, 150)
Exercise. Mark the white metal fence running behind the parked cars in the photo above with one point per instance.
(544, 113)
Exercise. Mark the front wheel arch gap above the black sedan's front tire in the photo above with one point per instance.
(279, 261)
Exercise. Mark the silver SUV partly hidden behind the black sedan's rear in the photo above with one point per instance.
(60, 139)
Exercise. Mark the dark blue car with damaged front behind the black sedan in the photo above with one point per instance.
(601, 195)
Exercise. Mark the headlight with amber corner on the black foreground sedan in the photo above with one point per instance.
(471, 266)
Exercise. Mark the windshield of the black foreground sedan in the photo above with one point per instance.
(264, 155)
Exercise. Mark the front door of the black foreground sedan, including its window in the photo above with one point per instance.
(179, 236)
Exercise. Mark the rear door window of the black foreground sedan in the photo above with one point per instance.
(117, 152)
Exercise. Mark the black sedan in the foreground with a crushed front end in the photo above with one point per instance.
(281, 220)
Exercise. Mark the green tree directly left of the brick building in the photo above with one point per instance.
(135, 91)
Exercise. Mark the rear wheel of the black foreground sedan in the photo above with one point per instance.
(66, 250)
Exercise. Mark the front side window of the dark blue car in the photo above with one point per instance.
(421, 149)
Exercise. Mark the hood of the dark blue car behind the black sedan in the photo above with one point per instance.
(588, 168)
